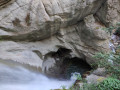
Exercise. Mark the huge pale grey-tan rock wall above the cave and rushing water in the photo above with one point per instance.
(30, 29)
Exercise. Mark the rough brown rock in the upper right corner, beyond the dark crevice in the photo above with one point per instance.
(110, 12)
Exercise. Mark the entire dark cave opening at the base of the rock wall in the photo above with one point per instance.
(66, 64)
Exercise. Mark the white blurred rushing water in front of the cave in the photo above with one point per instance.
(19, 78)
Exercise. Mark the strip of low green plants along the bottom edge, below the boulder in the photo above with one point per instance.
(107, 84)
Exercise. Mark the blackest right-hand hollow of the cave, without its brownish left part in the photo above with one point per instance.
(72, 65)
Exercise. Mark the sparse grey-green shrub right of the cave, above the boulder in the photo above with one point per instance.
(109, 61)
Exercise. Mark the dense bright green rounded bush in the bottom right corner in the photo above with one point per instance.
(109, 84)
